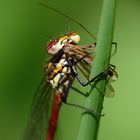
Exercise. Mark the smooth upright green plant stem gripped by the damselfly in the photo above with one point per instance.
(89, 124)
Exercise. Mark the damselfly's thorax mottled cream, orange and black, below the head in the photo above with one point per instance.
(58, 73)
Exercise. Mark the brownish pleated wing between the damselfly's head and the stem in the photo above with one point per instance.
(82, 58)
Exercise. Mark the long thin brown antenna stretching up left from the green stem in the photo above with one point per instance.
(66, 16)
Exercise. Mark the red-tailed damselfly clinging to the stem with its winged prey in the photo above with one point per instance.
(59, 73)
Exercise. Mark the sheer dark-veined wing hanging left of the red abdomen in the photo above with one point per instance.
(41, 107)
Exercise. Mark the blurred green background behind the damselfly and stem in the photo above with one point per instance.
(24, 25)
